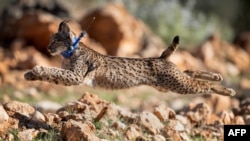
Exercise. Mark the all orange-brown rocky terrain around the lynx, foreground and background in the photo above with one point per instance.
(43, 111)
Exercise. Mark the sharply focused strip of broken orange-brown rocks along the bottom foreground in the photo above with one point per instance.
(91, 118)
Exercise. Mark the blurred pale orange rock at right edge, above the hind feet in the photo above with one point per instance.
(223, 62)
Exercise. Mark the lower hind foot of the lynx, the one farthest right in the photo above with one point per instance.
(222, 90)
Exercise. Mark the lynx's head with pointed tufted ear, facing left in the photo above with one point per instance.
(62, 40)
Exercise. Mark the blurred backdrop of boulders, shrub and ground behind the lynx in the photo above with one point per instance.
(214, 36)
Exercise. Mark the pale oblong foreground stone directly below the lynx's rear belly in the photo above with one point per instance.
(150, 122)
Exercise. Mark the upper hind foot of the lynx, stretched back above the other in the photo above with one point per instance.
(203, 75)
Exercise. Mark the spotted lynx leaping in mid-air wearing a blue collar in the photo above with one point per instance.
(83, 65)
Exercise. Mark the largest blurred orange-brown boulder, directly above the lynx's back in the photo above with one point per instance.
(120, 33)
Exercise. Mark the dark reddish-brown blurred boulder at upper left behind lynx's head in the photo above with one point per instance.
(35, 27)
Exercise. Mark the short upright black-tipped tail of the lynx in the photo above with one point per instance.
(170, 50)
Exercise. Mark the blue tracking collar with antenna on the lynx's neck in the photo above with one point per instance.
(68, 53)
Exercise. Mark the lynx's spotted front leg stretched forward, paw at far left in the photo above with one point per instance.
(54, 75)
